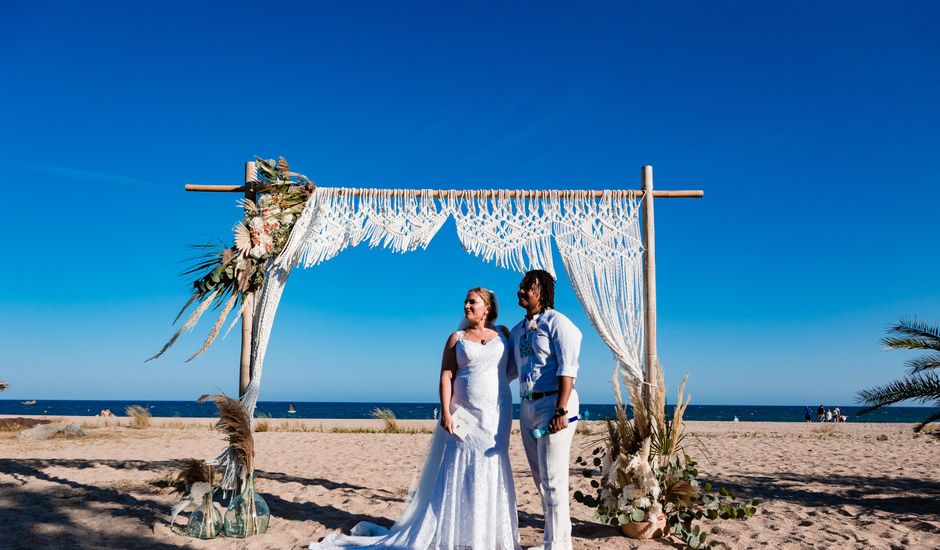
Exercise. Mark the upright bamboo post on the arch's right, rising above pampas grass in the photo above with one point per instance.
(649, 281)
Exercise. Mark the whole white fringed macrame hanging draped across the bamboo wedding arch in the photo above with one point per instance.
(598, 239)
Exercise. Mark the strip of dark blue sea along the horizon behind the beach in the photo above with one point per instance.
(346, 410)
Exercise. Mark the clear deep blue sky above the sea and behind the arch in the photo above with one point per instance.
(811, 126)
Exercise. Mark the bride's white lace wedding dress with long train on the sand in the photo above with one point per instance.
(465, 498)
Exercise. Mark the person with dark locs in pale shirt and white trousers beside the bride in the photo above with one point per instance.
(545, 348)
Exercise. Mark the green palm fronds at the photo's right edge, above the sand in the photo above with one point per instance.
(922, 382)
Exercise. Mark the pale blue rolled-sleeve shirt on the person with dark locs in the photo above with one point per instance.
(543, 349)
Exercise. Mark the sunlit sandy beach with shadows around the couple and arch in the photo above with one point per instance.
(824, 486)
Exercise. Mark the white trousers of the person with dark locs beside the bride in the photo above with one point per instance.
(549, 459)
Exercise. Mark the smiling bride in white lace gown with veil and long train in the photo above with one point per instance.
(465, 497)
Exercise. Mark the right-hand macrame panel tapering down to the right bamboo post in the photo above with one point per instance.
(602, 250)
